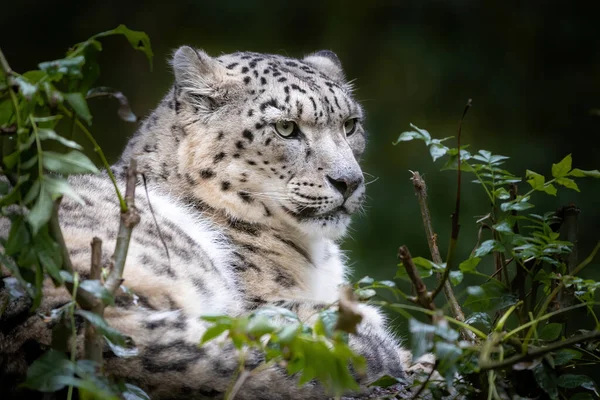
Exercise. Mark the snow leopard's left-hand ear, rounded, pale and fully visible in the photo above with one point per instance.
(199, 74)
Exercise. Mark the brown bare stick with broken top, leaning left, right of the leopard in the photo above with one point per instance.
(421, 192)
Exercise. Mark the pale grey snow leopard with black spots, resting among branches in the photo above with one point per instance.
(251, 165)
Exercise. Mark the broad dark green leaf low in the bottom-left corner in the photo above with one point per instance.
(48, 373)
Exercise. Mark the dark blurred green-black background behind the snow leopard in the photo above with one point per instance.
(532, 69)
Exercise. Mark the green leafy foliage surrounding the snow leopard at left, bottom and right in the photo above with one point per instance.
(518, 281)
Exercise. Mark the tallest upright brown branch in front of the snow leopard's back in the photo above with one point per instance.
(129, 219)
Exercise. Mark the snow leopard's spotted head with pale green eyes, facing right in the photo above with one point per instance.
(271, 139)
